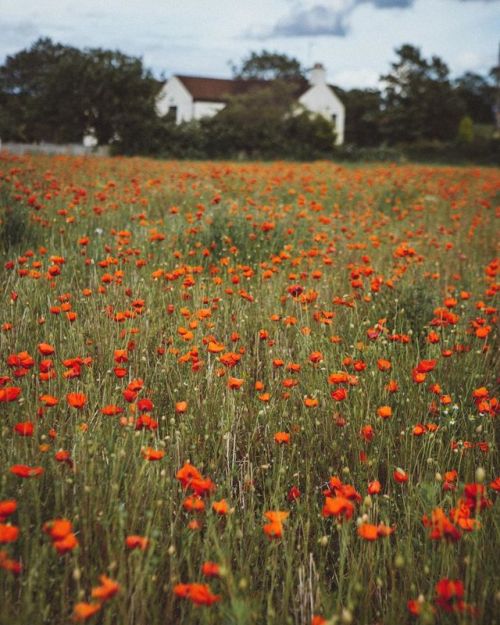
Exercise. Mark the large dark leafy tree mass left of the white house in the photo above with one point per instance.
(58, 93)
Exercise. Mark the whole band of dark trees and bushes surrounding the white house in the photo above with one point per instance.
(60, 94)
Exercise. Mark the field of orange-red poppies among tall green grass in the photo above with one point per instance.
(237, 394)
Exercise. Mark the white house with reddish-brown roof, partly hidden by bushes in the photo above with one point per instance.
(193, 97)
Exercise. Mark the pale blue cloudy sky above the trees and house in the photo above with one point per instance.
(354, 39)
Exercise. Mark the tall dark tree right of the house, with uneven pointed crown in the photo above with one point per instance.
(419, 101)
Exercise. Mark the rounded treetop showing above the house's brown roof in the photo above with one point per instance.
(267, 65)
